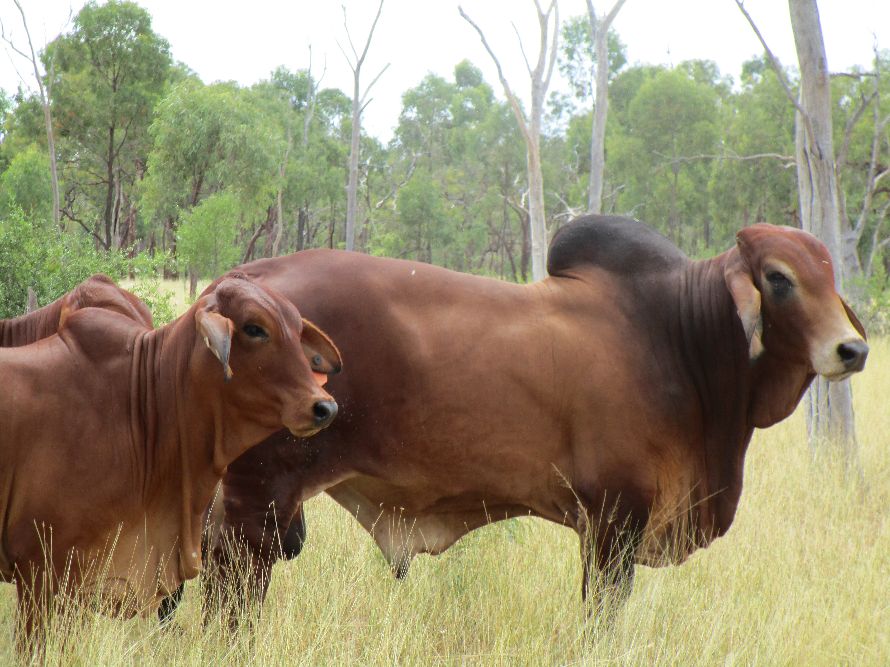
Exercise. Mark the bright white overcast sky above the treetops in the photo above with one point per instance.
(245, 41)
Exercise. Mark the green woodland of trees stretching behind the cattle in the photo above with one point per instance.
(162, 174)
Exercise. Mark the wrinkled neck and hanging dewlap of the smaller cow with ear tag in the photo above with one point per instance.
(179, 437)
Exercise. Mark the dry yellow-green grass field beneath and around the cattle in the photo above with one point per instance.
(802, 578)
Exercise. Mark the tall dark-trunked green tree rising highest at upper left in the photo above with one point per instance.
(108, 74)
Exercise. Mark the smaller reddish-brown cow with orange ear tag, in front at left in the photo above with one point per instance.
(114, 438)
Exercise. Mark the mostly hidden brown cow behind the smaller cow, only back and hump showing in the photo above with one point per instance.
(98, 291)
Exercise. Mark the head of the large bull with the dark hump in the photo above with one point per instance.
(782, 282)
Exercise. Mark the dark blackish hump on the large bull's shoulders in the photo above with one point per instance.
(614, 243)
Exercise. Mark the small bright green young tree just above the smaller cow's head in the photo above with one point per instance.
(206, 238)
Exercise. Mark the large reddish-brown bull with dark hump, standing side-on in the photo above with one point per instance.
(616, 396)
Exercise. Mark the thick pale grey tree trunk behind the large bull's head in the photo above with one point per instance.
(829, 405)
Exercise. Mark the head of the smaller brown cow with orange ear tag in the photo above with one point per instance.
(259, 339)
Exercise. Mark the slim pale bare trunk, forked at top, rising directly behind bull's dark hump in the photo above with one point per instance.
(599, 31)
